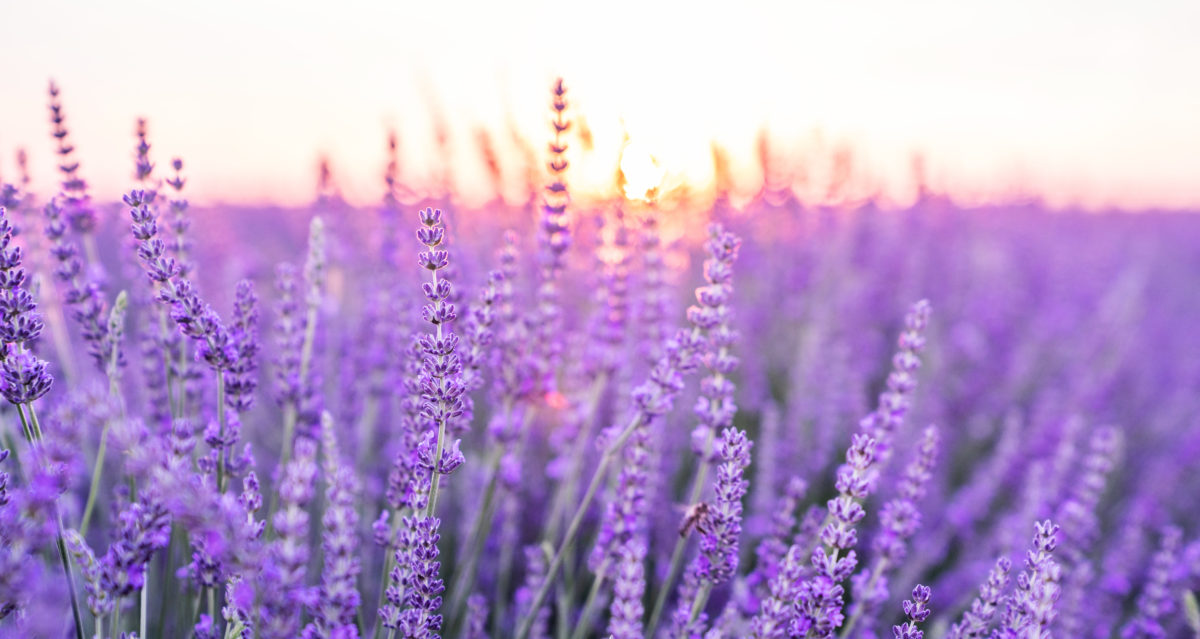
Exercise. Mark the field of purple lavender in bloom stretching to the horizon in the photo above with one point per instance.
(590, 419)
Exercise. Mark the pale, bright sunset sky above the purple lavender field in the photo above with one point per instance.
(1081, 104)
